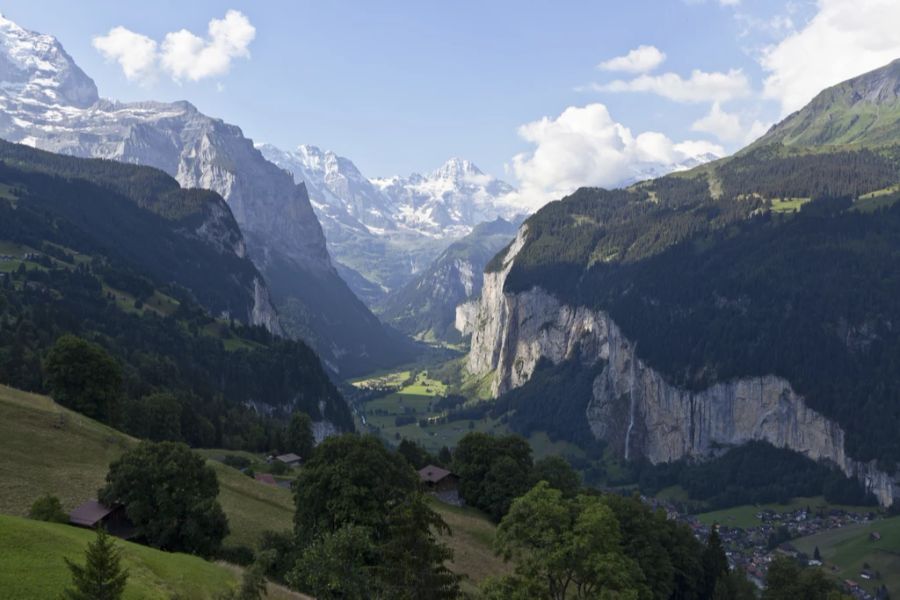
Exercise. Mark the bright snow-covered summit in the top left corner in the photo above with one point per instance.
(35, 67)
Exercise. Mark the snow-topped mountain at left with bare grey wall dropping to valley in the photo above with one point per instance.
(48, 102)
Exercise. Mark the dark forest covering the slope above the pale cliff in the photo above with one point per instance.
(717, 288)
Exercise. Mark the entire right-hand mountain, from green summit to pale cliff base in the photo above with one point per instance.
(752, 298)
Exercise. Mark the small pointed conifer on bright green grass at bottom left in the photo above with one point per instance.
(102, 577)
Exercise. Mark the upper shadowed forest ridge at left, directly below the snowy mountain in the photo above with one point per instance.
(135, 216)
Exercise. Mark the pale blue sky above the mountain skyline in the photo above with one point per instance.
(401, 86)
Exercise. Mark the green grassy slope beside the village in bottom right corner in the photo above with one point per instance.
(848, 549)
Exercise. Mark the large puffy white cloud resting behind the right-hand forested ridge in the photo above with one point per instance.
(584, 146)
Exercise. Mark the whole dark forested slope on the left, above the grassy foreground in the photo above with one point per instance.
(232, 383)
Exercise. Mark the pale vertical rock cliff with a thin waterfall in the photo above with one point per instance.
(633, 407)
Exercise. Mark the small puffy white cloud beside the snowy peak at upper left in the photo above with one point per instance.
(182, 55)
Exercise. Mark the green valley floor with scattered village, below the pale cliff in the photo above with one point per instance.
(406, 407)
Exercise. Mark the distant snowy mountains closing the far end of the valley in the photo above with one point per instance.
(384, 231)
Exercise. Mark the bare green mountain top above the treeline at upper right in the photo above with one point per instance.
(862, 111)
